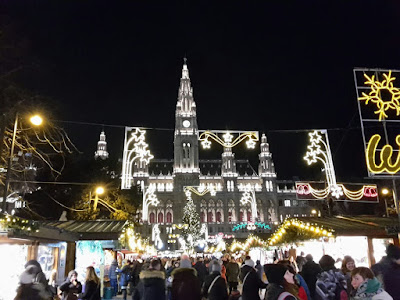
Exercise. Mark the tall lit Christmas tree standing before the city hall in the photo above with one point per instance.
(191, 234)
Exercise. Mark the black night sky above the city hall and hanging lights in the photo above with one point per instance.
(276, 68)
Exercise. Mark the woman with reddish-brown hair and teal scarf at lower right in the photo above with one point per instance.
(366, 286)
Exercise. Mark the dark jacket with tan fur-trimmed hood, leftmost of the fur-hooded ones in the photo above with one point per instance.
(151, 286)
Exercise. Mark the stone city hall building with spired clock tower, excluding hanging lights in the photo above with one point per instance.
(227, 176)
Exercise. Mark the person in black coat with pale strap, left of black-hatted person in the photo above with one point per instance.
(251, 281)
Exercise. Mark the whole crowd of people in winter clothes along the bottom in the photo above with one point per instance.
(197, 278)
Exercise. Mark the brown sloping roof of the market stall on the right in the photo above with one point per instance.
(356, 225)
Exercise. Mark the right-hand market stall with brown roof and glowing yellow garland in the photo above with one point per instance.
(364, 237)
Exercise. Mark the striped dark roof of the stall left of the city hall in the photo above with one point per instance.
(91, 230)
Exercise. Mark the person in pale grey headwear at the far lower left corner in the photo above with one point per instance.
(29, 288)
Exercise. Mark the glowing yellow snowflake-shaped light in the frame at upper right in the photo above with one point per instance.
(375, 97)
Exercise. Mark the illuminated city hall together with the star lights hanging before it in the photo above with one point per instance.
(231, 197)
